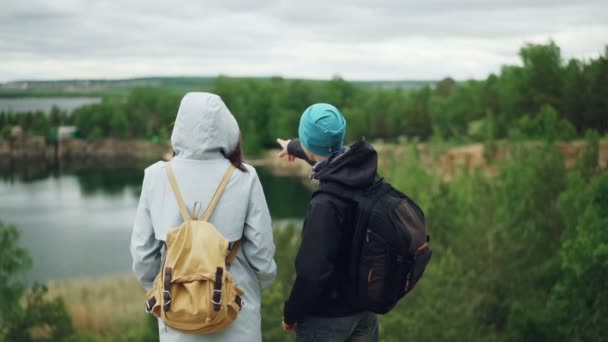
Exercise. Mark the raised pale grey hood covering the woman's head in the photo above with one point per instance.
(204, 127)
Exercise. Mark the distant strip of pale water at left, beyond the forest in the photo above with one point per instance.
(32, 104)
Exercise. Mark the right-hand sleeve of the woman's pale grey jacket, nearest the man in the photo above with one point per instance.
(258, 244)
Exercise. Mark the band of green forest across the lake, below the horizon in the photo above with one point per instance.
(544, 97)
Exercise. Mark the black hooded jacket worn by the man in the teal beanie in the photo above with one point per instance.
(322, 260)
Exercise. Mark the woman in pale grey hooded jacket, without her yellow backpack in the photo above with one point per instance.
(205, 139)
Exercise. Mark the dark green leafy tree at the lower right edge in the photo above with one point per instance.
(578, 299)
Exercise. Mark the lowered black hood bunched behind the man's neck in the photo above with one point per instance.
(357, 167)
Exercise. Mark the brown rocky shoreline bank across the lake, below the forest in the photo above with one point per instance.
(447, 159)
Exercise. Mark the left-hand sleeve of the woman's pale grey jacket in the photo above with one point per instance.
(145, 249)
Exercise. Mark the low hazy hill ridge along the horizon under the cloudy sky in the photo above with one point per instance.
(121, 87)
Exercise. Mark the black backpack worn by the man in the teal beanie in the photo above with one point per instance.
(390, 247)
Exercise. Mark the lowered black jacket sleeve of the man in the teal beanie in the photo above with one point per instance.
(315, 261)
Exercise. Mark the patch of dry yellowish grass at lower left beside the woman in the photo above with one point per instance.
(104, 306)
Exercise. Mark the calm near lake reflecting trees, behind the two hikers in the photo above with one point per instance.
(78, 223)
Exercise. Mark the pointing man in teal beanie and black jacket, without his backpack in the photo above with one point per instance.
(318, 307)
